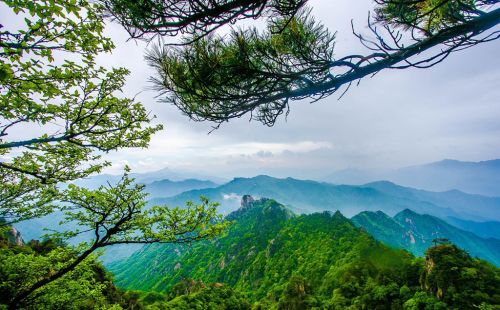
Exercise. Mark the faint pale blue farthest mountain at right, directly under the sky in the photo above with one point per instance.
(471, 177)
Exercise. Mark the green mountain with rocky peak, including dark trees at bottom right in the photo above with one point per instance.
(277, 259)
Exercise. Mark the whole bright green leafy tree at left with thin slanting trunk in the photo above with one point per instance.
(59, 112)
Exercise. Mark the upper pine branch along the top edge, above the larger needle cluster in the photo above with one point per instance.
(149, 18)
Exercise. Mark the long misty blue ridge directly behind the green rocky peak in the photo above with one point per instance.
(305, 196)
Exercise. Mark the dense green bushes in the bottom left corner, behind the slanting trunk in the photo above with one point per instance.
(88, 286)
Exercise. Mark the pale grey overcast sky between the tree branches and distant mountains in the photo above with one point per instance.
(398, 118)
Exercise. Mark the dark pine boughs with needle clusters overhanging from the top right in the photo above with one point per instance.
(215, 77)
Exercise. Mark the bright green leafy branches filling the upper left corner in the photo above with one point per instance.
(67, 107)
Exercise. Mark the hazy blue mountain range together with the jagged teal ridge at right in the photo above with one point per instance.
(375, 201)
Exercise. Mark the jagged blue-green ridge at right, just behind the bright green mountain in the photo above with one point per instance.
(415, 233)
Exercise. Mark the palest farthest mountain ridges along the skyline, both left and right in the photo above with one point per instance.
(481, 177)
